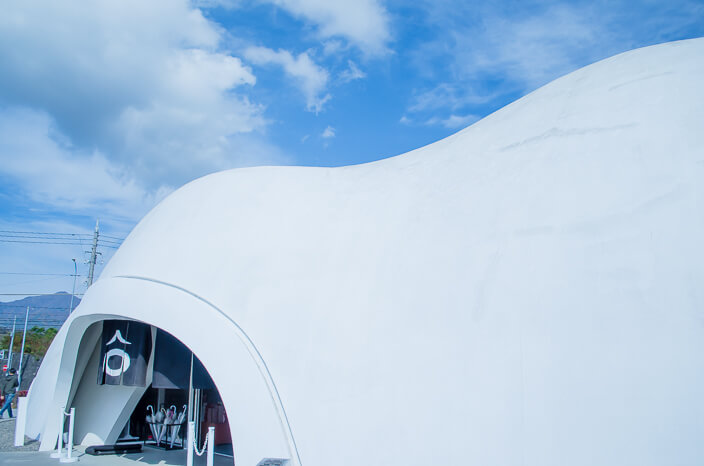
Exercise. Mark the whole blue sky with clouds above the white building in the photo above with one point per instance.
(108, 106)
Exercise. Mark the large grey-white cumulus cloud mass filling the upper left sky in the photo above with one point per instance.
(144, 84)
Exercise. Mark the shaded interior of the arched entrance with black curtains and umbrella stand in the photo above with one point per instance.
(154, 411)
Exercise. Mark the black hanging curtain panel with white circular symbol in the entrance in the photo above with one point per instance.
(124, 353)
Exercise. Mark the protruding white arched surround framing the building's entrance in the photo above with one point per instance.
(258, 424)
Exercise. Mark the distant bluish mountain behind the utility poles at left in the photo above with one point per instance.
(44, 311)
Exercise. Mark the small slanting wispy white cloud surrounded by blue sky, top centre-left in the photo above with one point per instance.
(311, 79)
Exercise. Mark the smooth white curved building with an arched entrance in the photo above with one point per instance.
(528, 291)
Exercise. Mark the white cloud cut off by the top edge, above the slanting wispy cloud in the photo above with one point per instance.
(364, 23)
